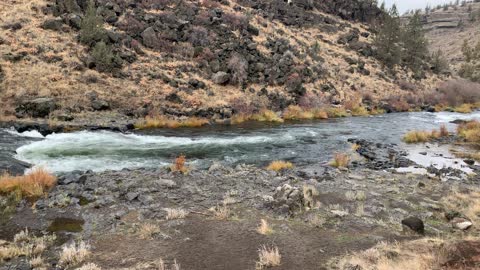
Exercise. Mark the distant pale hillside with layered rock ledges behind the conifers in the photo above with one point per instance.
(447, 30)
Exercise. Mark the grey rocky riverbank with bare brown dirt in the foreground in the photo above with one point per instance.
(207, 219)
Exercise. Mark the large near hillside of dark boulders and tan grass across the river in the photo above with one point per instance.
(203, 58)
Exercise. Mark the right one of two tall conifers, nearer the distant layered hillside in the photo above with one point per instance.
(415, 45)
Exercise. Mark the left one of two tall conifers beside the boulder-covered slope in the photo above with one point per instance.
(387, 40)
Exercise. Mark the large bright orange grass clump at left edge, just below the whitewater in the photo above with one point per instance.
(32, 186)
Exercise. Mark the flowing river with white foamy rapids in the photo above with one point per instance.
(252, 143)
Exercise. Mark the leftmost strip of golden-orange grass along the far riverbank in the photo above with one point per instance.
(162, 121)
